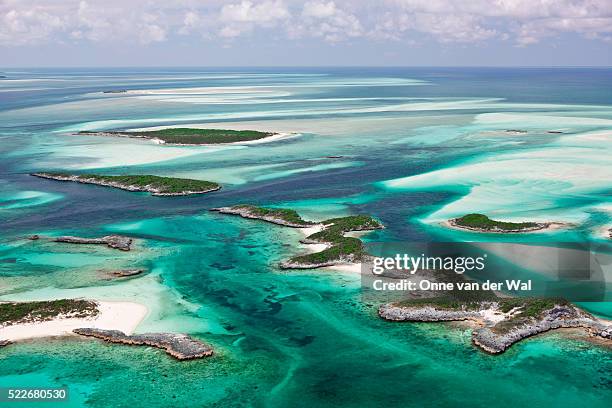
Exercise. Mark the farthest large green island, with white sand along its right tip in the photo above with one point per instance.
(189, 136)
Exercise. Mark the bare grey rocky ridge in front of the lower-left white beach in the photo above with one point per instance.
(179, 346)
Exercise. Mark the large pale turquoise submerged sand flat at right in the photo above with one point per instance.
(529, 181)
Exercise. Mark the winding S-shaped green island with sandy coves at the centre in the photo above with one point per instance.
(340, 249)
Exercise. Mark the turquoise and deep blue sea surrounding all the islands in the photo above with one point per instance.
(417, 146)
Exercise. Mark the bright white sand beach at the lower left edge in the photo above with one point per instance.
(122, 316)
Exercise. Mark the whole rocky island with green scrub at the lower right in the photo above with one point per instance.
(500, 322)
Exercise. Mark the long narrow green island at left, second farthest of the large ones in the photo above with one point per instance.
(156, 185)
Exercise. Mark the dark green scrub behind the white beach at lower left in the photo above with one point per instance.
(26, 312)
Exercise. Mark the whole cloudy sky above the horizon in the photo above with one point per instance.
(317, 32)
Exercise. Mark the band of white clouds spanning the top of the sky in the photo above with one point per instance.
(523, 22)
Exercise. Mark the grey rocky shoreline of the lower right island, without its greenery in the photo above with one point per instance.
(495, 337)
